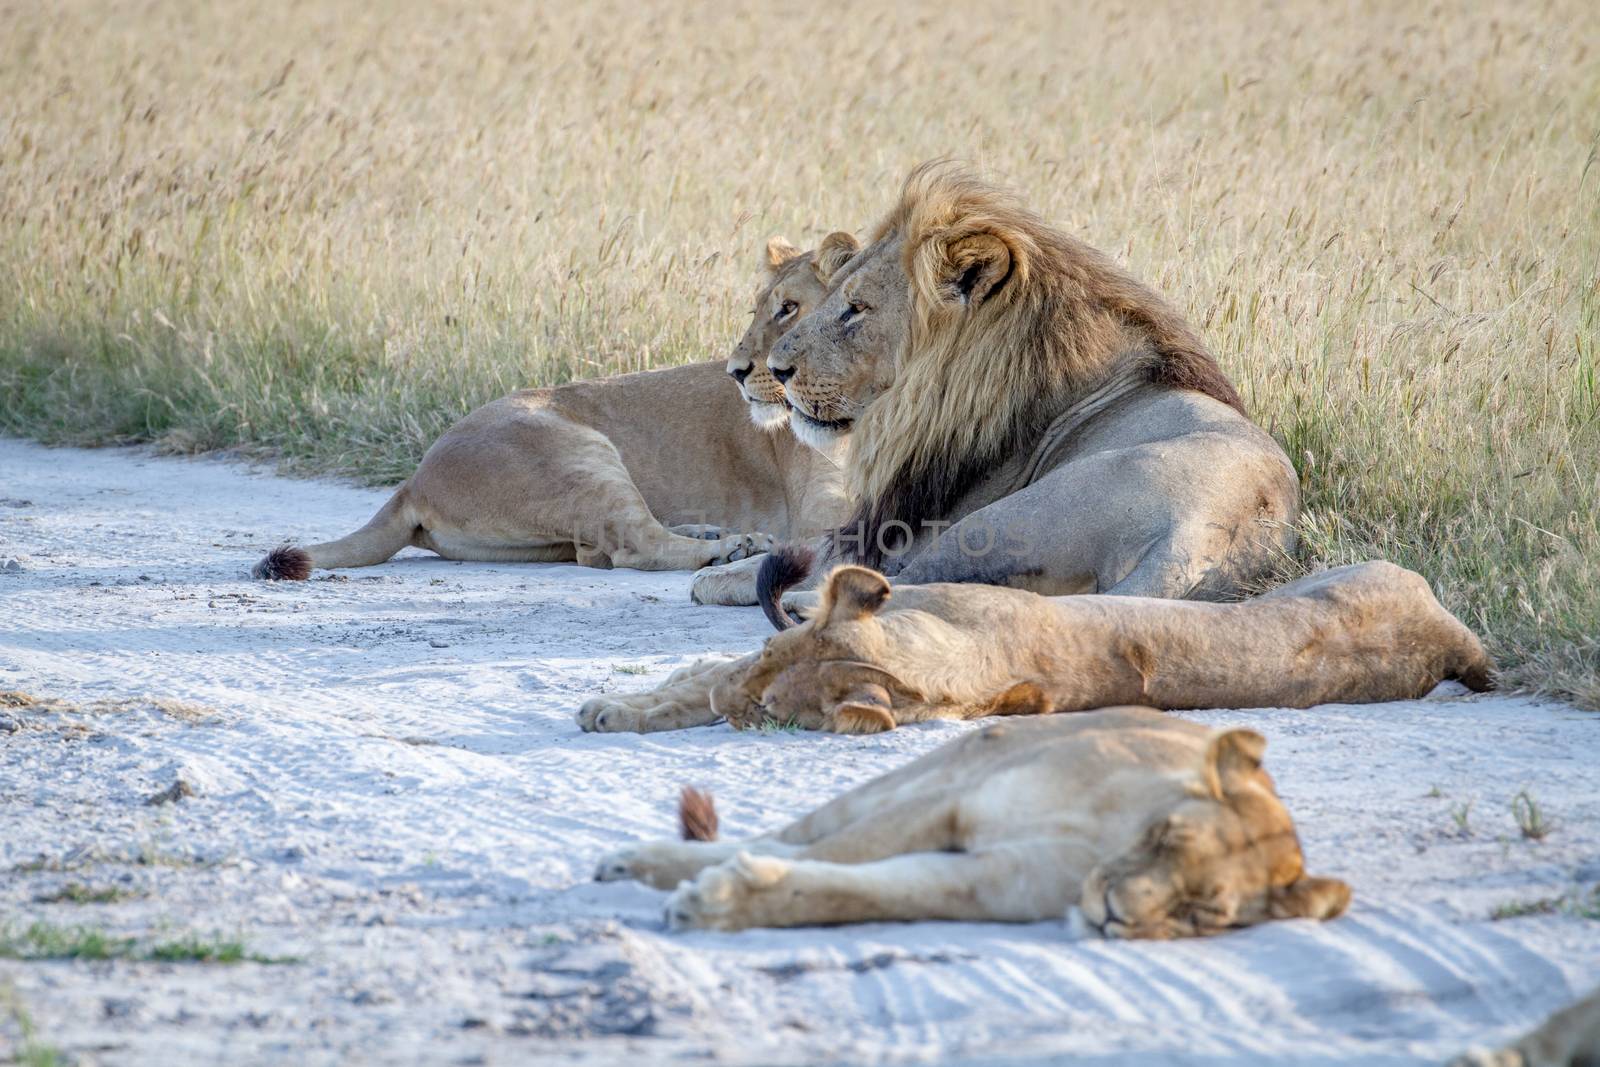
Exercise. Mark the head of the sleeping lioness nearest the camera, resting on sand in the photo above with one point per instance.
(1223, 858)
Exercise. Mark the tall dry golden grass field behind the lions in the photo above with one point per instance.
(327, 233)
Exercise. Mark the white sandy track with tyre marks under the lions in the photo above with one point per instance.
(391, 788)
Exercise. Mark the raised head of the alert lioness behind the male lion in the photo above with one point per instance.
(796, 284)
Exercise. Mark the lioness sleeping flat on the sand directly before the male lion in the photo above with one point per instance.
(868, 661)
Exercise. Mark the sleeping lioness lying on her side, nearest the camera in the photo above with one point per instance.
(1153, 826)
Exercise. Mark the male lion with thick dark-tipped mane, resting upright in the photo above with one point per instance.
(1025, 414)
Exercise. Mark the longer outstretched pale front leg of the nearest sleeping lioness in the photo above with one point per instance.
(753, 892)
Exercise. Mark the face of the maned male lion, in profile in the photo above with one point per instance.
(841, 358)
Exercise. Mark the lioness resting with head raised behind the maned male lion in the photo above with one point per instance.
(650, 471)
